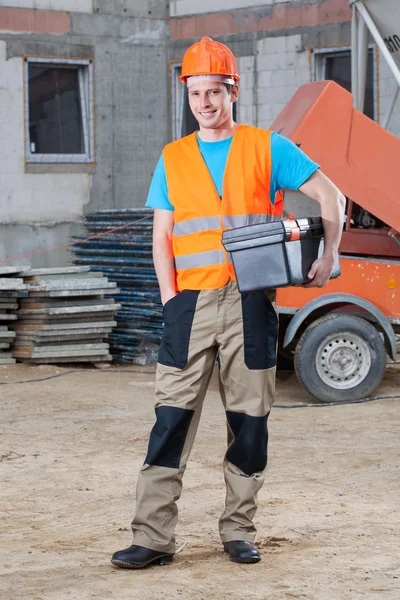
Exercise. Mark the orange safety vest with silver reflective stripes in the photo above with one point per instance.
(200, 215)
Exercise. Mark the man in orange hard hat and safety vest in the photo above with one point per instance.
(224, 175)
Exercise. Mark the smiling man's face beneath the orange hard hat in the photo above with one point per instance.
(210, 103)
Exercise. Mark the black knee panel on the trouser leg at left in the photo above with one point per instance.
(168, 436)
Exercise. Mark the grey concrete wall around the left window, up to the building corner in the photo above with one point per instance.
(42, 205)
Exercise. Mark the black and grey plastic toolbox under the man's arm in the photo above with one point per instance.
(277, 253)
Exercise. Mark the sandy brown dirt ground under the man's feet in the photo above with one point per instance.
(70, 448)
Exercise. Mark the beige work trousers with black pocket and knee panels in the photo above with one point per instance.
(241, 330)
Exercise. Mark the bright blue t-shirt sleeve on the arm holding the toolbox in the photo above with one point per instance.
(290, 166)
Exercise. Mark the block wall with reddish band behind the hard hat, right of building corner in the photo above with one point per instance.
(274, 44)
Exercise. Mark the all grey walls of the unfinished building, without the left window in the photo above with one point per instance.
(131, 42)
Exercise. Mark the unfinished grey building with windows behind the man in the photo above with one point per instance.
(90, 94)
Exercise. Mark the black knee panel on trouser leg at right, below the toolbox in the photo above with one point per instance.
(248, 450)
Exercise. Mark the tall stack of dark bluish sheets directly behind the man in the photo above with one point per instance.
(125, 256)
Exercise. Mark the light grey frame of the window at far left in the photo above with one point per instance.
(86, 96)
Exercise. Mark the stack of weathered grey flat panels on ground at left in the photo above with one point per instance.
(66, 317)
